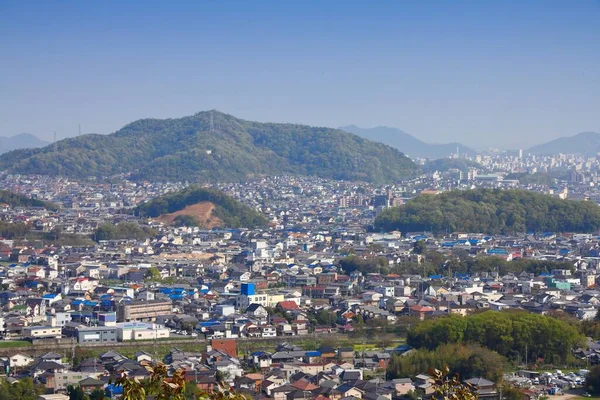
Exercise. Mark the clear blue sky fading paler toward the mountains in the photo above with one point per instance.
(507, 74)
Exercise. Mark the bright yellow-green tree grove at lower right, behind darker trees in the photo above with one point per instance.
(512, 334)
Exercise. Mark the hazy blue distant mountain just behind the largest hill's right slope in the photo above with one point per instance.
(408, 144)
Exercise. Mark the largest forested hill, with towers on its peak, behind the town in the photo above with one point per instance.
(211, 146)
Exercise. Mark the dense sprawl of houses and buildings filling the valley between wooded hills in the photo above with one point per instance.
(276, 312)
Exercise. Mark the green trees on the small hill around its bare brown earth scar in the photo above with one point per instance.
(229, 211)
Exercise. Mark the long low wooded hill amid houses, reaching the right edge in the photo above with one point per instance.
(490, 211)
